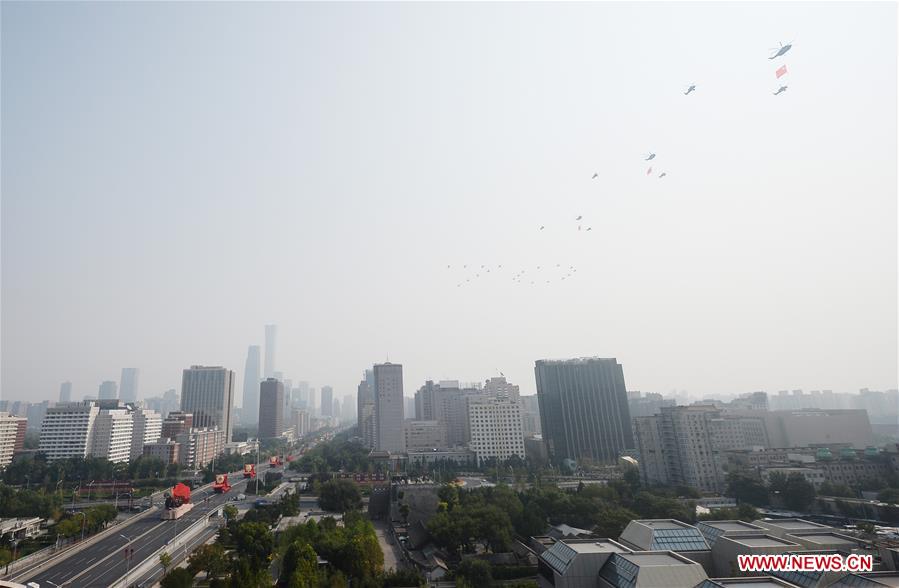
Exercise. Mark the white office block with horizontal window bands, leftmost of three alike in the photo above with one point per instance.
(68, 429)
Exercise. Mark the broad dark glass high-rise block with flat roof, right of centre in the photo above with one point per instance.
(583, 409)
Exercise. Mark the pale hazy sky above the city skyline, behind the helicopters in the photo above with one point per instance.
(174, 176)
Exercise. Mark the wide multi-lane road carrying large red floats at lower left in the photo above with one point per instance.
(104, 562)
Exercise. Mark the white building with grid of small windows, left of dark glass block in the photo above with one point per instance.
(495, 428)
